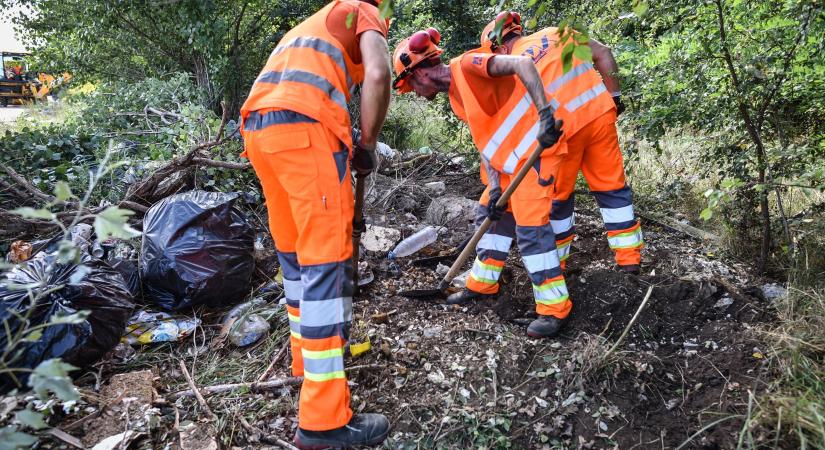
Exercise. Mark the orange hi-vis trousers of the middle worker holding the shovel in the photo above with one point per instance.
(528, 220)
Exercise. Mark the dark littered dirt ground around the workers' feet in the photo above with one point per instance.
(469, 377)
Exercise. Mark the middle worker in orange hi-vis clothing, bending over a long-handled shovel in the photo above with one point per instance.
(503, 101)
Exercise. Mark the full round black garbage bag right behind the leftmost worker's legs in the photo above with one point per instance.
(197, 249)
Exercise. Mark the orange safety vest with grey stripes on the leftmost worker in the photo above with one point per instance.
(309, 72)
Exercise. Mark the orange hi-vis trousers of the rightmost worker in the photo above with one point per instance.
(595, 151)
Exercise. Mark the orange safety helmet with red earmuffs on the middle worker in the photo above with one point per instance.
(419, 50)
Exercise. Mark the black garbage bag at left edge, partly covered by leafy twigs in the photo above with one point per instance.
(91, 285)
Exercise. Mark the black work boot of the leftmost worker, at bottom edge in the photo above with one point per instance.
(362, 429)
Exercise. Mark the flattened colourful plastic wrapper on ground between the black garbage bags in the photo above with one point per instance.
(146, 327)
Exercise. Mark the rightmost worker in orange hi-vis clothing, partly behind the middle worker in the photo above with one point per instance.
(590, 135)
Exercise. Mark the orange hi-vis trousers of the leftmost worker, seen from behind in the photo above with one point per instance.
(304, 173)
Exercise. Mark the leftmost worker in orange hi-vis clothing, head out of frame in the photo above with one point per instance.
(299, 139)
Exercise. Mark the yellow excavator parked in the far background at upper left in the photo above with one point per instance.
(19, 86)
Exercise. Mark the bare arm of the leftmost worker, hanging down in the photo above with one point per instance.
(375, 92)
